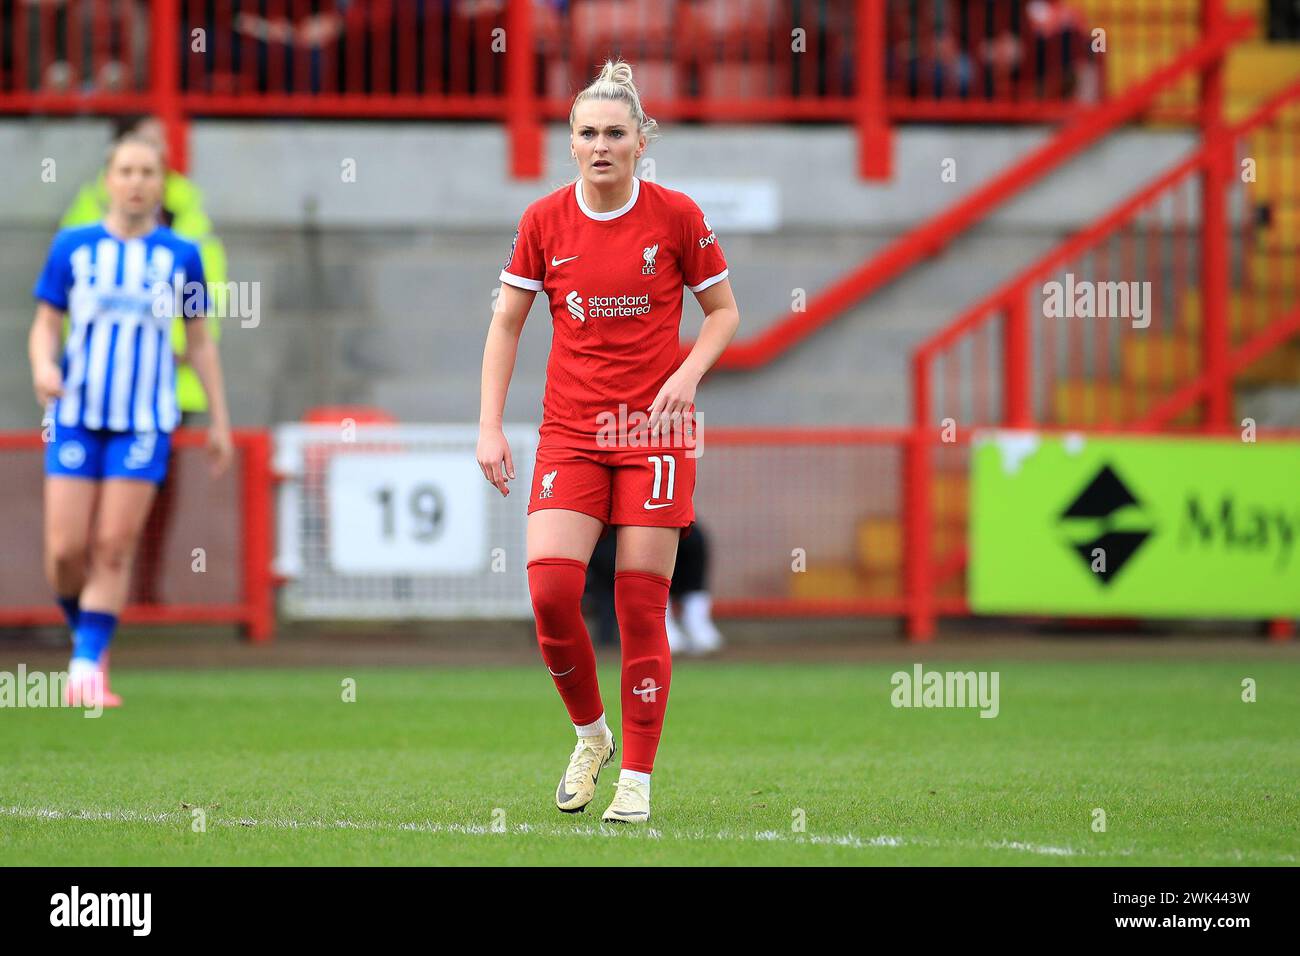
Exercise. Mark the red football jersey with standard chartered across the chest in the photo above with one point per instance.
(616, 284)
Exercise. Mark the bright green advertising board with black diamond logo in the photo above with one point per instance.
(1134, 526)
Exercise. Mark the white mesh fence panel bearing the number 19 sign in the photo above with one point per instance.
(397, 522)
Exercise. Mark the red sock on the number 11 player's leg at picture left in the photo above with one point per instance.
(557, 586)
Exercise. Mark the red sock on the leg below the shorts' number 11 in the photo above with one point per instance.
(642, 602)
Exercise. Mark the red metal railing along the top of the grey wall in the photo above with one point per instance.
(521, 62)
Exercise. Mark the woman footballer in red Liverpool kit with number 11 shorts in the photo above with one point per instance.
(612, 253)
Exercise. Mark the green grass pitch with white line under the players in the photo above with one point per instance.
(460, 767)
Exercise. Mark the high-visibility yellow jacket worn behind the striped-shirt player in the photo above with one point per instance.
(184, 201)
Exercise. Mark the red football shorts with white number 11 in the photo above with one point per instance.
(648, 487)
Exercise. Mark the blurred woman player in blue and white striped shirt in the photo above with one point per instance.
(111, 397)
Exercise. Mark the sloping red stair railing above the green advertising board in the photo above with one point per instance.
(1020, 358)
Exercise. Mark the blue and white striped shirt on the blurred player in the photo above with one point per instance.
(122, 300)
